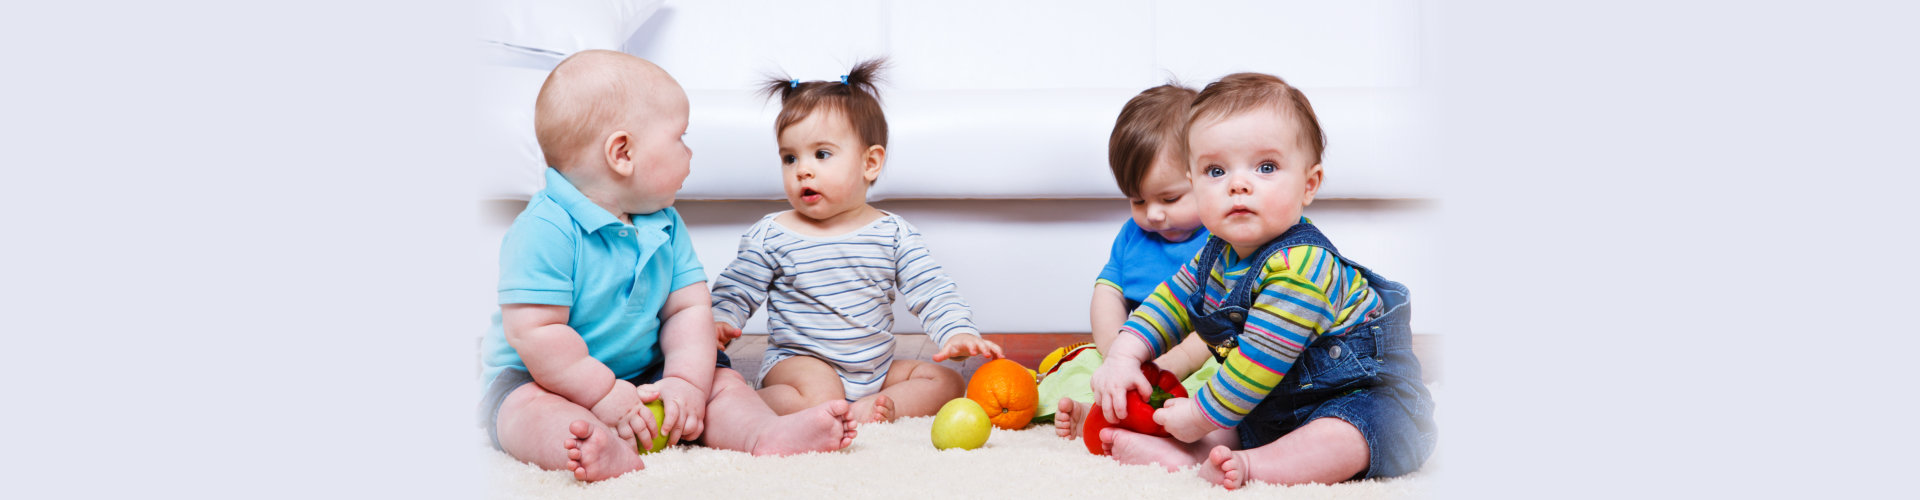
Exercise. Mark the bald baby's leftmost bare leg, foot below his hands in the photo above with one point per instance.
(560, 436)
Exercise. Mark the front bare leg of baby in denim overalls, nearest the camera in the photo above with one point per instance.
(1326, 451)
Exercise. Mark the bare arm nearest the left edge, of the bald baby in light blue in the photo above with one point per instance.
(558, 359)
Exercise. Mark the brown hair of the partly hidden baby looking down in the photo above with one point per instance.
(1149, 126)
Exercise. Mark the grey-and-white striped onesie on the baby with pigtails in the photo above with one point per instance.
(832, 297)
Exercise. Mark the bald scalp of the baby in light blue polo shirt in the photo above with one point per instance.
(594, 95)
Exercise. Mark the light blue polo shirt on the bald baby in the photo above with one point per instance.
(567, 251)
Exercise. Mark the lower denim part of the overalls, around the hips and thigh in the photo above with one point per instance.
(1366, 378)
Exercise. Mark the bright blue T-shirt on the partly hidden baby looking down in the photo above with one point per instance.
(1141, 261)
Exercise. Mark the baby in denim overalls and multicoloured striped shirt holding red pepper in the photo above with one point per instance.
(1318, 378)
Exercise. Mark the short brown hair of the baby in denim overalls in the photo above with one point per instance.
(1247, 91)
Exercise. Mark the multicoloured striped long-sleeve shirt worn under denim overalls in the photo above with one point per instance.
(1305, 293)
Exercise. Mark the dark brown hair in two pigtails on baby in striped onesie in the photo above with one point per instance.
(855, 97)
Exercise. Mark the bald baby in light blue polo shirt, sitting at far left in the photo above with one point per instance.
(604, 305)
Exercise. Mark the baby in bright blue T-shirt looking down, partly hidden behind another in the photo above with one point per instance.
(1163, 236)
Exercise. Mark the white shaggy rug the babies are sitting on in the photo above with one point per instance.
(892, 461)
